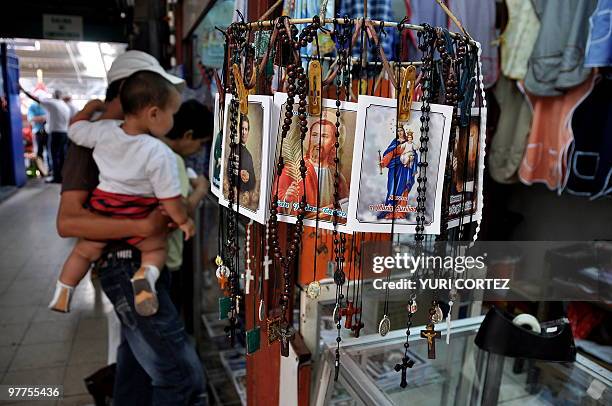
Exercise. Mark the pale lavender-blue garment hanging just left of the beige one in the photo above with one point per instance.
(478, 18)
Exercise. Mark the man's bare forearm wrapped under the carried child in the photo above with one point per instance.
(74, 220)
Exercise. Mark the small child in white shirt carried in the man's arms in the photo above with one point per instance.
(137, 172)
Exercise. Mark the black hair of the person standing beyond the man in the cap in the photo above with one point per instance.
(194, 116)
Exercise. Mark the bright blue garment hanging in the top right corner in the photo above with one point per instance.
(599, 44)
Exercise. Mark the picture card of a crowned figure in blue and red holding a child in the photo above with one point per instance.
(385, 167)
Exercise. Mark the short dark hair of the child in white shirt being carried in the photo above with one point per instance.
(144, 89)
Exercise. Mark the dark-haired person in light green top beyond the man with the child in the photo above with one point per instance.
(193, 126)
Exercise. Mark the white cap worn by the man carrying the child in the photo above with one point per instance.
(135, 61)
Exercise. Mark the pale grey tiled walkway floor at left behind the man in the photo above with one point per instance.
(38, 346)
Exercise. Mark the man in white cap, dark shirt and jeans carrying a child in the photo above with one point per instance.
(156, 363)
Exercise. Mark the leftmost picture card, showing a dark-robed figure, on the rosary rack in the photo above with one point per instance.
(252, 158)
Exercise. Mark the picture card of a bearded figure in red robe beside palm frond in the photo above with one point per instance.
(319, 153)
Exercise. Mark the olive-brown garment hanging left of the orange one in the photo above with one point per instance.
(508, 144)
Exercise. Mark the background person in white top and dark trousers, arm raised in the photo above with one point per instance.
(57, 123)
